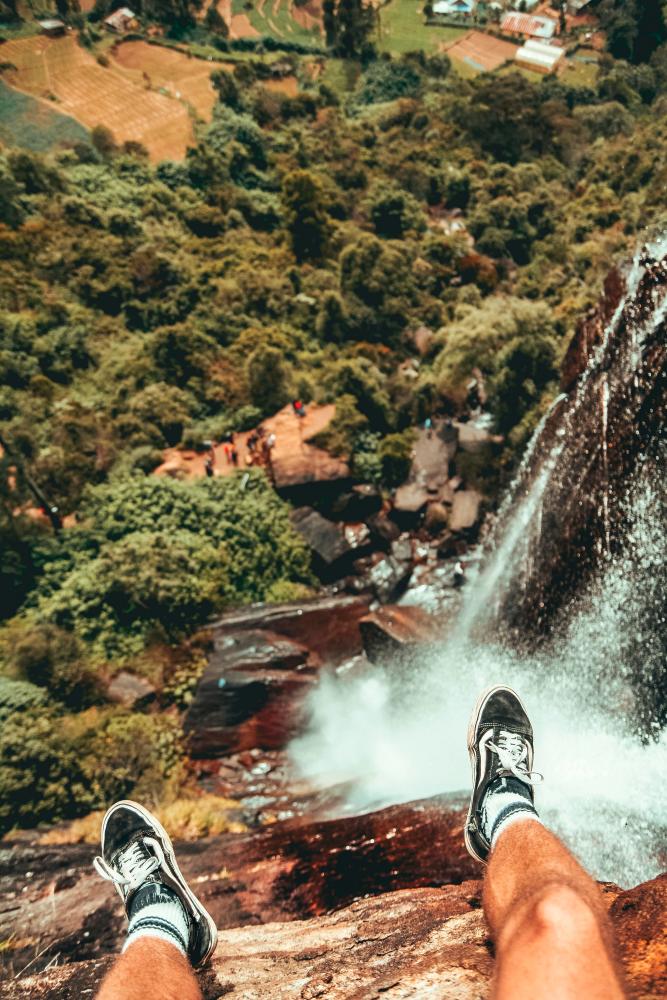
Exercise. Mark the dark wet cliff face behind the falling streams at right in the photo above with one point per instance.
(576, 484)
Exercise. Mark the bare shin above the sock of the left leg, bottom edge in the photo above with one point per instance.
(150, 969)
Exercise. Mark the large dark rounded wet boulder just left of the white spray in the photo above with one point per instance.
(251, 694)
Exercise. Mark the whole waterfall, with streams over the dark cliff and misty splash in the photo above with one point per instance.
(399, 734)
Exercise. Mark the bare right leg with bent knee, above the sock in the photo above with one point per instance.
(553, 938)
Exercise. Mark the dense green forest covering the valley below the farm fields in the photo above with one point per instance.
(293, 253)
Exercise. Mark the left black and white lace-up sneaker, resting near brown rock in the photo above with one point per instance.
(136, 850)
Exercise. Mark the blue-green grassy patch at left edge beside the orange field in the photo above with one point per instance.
(30, 124)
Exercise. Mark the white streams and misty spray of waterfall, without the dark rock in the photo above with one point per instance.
(393, 735)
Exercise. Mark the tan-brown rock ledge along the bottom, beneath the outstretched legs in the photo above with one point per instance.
(412, 943)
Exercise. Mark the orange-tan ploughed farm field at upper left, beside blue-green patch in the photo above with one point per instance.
(116, 96)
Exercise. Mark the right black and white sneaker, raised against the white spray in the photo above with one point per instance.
(500, 744)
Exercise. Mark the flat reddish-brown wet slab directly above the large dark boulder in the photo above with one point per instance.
(329, 626)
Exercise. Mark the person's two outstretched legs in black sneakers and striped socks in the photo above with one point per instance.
(553, 939)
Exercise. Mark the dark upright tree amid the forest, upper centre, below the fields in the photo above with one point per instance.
(306, 217)
